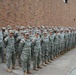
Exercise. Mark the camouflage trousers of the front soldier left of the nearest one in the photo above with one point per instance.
(10, 56)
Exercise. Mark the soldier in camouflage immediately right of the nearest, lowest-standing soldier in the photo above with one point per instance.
(37, 51)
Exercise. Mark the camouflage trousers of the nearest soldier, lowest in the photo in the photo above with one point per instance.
(26, 62)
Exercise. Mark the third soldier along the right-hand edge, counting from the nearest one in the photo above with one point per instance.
(45, 47)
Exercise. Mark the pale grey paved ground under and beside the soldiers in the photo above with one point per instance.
(65, 65)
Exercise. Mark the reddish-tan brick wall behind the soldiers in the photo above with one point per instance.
(37, 12)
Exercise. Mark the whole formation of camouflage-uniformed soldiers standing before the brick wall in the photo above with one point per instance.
(40, 44)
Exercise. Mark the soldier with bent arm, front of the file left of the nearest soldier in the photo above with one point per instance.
(10, 51)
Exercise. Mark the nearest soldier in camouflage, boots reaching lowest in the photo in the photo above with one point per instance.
(26, 54)
